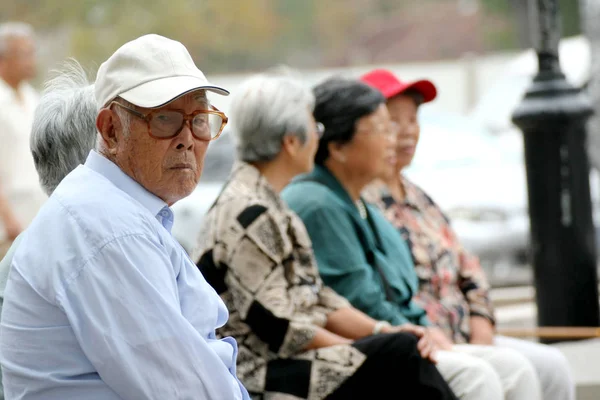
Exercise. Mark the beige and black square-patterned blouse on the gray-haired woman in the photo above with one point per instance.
(258, 256)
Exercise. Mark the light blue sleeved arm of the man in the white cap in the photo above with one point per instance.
(124, 309)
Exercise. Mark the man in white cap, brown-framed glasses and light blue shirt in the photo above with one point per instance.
(101, 301)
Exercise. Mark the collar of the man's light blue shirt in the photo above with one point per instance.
(120, 179)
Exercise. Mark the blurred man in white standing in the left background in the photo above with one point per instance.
(20, 192)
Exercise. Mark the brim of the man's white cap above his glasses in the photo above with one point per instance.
(159, 92)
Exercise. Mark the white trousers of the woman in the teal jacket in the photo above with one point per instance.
(488, 372)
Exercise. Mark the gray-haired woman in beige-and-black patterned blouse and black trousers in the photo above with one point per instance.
(298, 338)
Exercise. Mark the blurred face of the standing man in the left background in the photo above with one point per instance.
(19, 61)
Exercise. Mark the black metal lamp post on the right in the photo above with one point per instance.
(553, 117)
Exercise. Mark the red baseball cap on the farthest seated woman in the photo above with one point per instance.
(390, 86)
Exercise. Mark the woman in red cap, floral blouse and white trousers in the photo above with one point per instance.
(453, 287)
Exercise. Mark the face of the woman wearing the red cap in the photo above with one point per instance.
(403, 112)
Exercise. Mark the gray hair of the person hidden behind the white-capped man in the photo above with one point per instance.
(64, 125)
